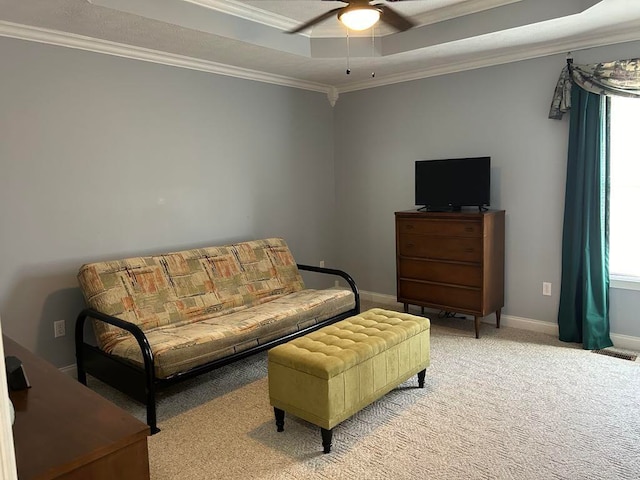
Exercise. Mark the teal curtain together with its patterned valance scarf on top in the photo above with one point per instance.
(583, 91)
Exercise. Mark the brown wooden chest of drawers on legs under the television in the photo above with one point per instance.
(451, 261)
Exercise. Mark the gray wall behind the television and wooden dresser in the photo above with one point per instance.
(499, 111)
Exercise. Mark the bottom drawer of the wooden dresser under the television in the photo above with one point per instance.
(440, 296)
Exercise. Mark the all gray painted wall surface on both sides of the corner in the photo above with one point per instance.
(103, 157)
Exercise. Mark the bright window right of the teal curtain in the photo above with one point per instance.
(624, 250)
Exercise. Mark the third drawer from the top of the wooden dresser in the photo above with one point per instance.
(441, 272)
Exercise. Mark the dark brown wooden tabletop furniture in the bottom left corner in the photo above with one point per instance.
(64, 430)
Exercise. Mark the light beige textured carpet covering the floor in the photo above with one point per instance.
(513, 404)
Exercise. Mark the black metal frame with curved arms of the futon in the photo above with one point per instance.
(141, 384)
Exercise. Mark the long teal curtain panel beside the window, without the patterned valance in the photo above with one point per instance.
(583, 314)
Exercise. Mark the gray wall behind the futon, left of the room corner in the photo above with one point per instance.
(103, 157)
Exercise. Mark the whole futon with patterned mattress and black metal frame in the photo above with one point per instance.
(165, 318)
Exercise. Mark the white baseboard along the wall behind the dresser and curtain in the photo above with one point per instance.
(625, 342)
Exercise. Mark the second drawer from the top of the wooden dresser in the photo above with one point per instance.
(464, 249)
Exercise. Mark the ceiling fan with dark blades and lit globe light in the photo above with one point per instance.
(360, 15)
